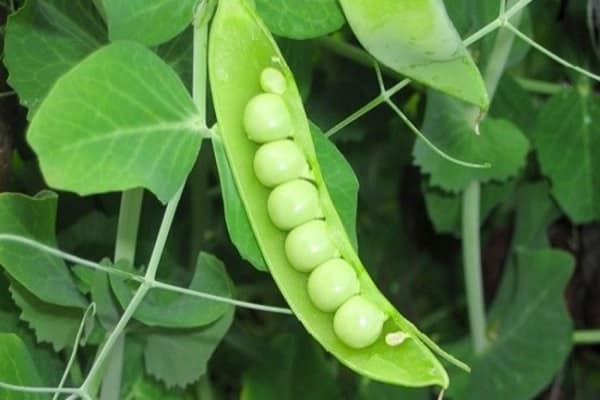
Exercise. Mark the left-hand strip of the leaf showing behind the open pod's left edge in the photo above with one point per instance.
(236, 219)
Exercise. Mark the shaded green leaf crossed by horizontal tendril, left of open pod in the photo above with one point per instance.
(175, 310)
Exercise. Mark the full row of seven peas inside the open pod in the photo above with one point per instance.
(293, 206)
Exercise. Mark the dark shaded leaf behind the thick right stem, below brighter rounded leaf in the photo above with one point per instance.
(445, 209)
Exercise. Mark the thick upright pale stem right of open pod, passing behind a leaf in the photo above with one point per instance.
(471, 199)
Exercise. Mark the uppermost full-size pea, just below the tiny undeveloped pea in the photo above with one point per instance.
(267, 118)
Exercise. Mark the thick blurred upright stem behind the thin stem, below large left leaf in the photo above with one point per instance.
(127, 232)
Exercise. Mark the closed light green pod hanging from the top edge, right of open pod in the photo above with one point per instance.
(416, 38)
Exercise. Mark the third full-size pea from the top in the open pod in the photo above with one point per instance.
(293, 203)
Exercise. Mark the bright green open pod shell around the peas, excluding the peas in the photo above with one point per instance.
(240, 48)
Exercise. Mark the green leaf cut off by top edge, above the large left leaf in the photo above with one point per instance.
(149, 22)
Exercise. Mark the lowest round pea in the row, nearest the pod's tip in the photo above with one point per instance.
(358, 323)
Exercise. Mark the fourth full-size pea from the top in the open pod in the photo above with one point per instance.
(309, 245)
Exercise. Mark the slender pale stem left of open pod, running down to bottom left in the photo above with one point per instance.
(199, 95)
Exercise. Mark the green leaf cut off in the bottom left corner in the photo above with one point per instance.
(17, 368)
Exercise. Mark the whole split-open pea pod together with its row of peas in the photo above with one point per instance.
(266, 136)
